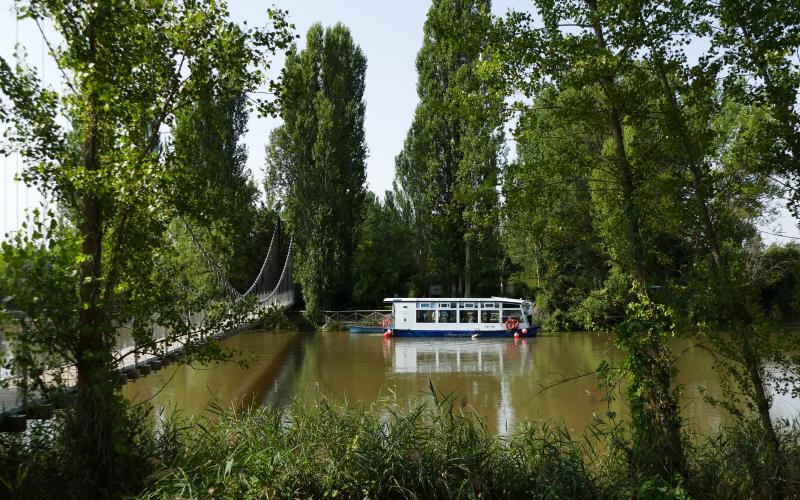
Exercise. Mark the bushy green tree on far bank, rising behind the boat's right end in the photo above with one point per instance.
(553, 239)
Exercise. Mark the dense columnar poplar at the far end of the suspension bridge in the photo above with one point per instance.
(316, 161)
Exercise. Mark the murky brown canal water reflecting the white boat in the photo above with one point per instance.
(505, 381)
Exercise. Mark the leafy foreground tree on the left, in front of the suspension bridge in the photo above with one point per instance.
(127, 67)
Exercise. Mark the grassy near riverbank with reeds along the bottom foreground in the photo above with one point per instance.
(397, 449)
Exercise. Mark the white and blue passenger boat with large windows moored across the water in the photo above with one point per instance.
(460, 317)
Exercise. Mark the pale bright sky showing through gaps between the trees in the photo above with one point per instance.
(388, 31)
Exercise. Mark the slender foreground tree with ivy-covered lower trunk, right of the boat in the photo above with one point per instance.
(576, 52)
